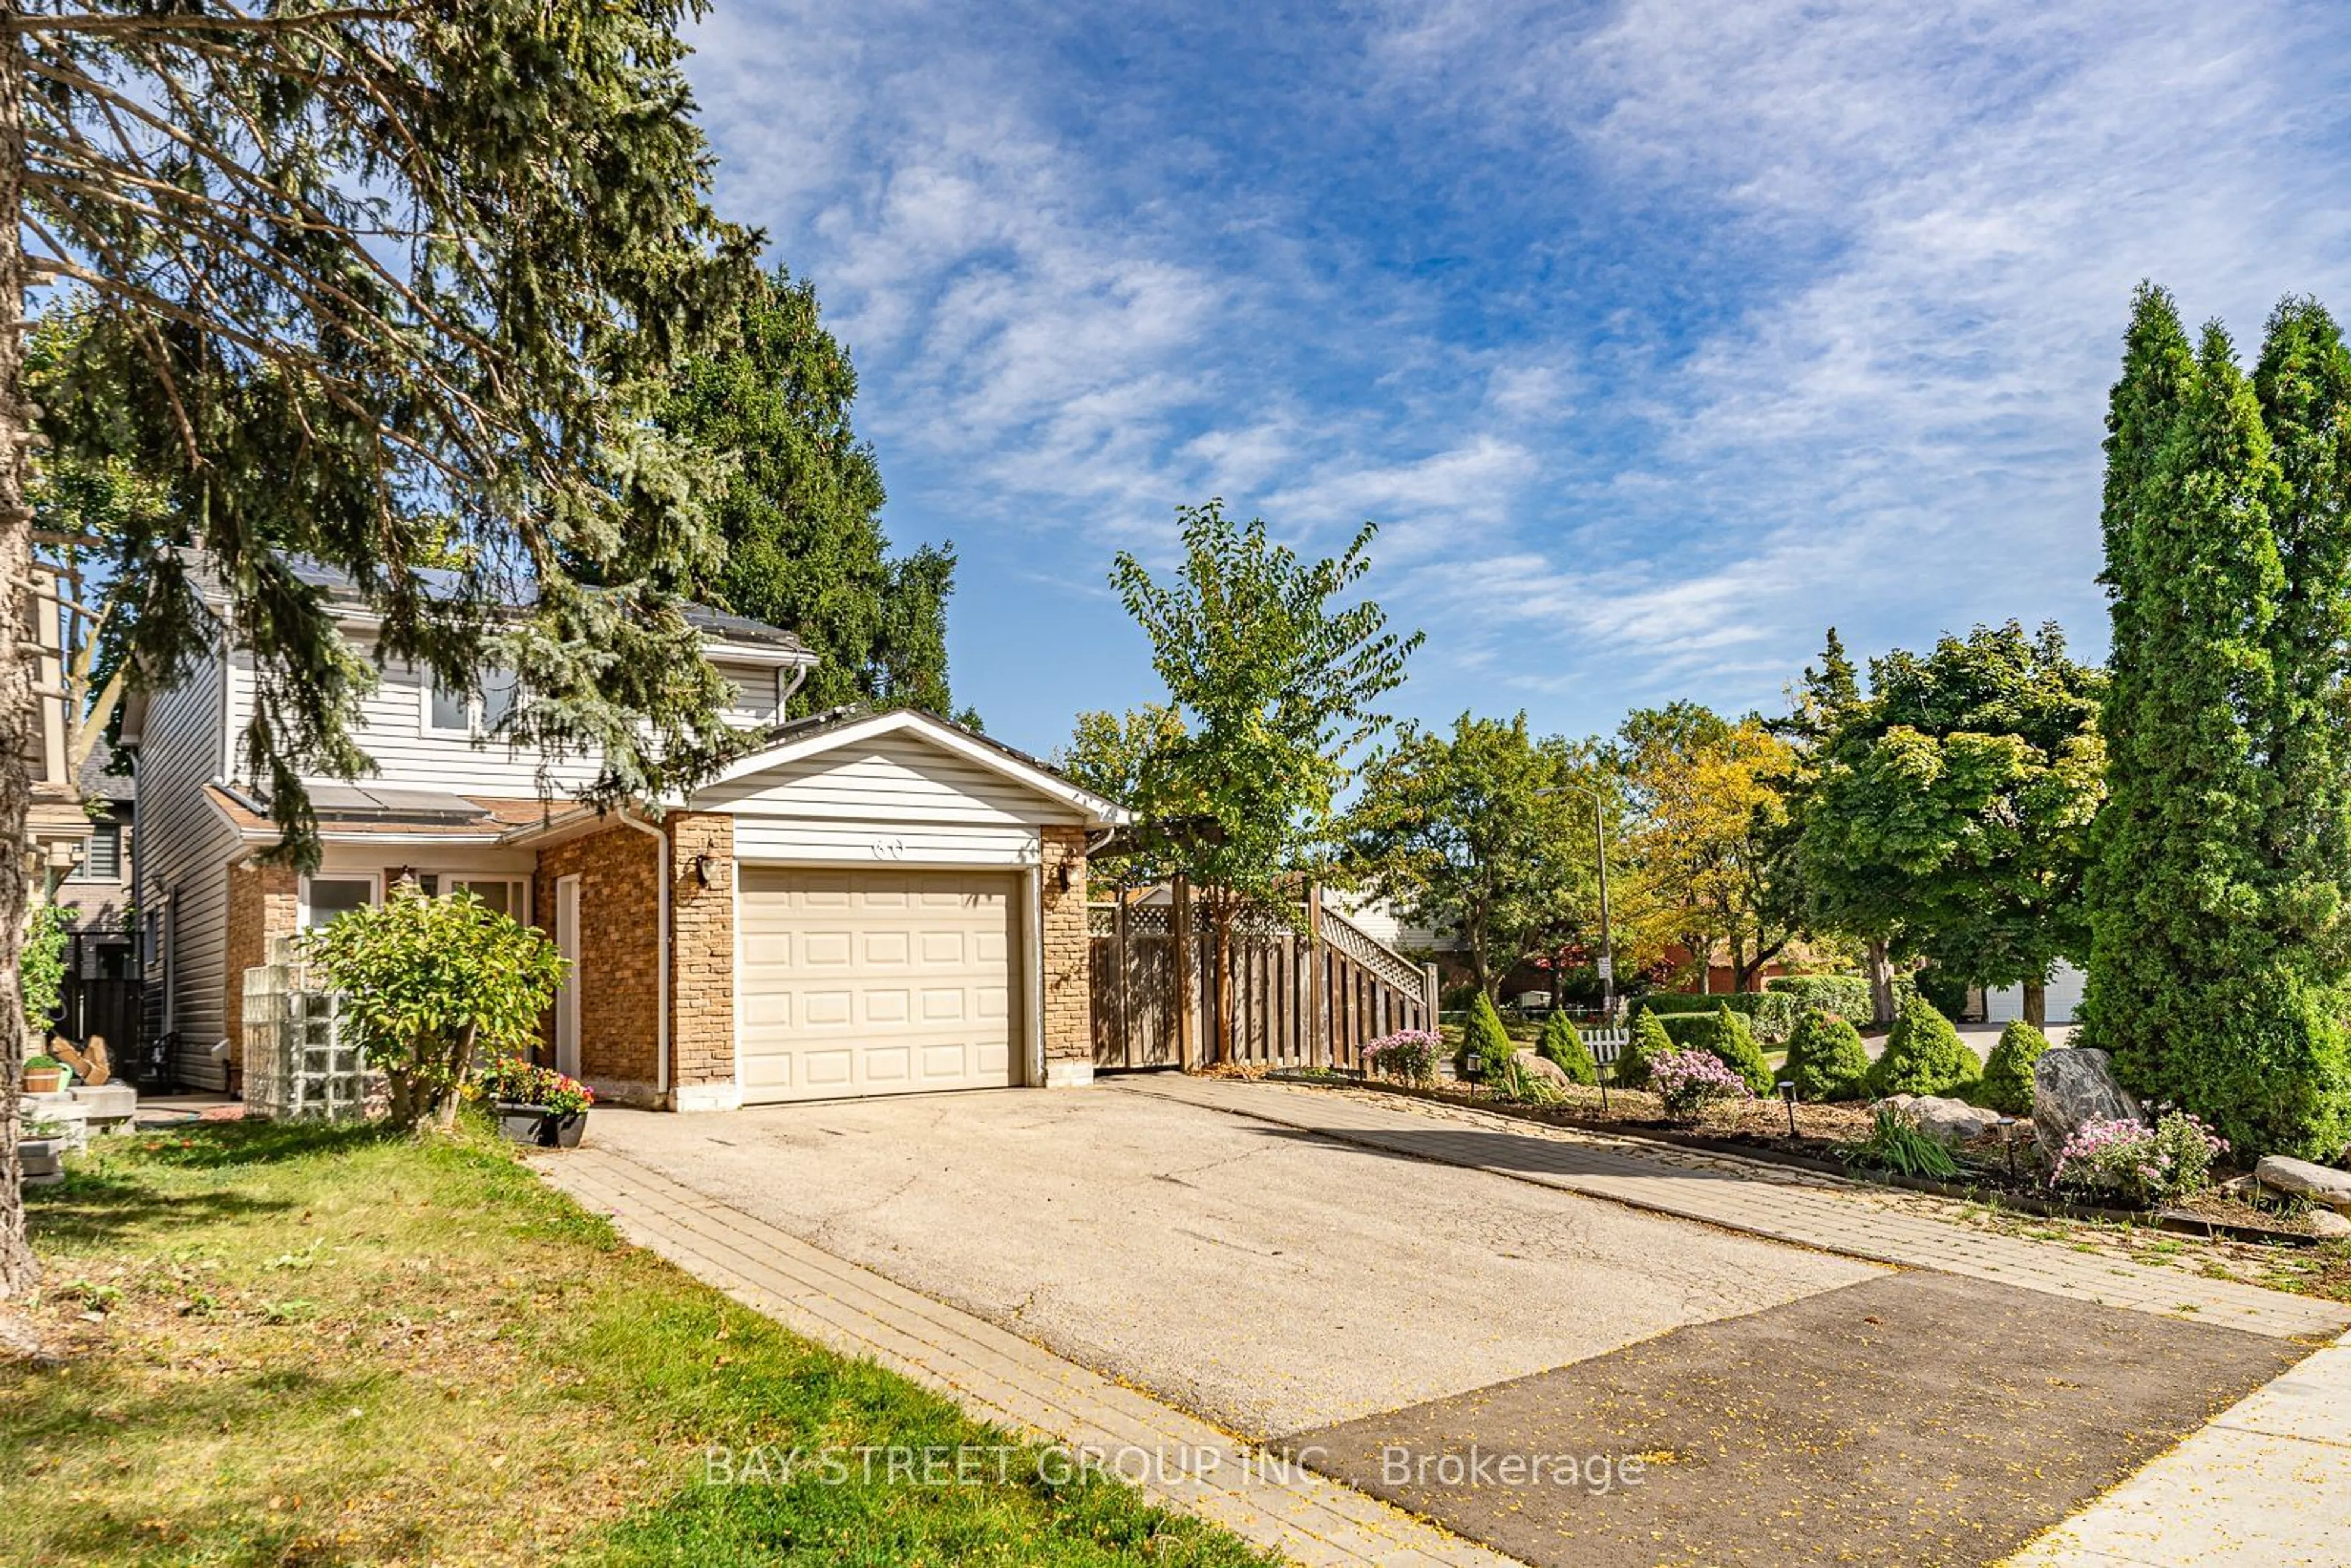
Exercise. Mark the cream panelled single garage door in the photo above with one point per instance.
(862, 984)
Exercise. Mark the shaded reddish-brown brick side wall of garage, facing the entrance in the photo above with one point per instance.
(619, 958)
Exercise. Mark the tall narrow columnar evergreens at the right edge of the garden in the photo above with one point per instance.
(2216, 970)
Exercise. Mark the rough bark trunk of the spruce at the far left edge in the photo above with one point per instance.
(20, 713)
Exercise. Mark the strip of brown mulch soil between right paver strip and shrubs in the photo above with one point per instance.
(1757, 1130)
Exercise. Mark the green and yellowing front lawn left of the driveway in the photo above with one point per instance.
(307, 1346)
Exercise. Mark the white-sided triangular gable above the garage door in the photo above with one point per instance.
(892, 779)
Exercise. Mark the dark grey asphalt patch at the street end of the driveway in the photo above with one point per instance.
(1915, 1419)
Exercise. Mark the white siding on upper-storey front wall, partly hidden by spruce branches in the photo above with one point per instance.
(410, 756)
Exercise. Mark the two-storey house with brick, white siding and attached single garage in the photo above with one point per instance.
(864, 904)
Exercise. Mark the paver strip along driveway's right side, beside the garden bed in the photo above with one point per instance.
(1753, 1198)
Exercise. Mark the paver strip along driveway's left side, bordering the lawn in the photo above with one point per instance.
(1005, 1379)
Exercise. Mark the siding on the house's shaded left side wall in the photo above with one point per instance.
(187, 850)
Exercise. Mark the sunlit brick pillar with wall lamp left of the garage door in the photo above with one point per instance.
(702, 963)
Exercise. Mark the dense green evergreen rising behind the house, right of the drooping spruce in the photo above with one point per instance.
(803, 511)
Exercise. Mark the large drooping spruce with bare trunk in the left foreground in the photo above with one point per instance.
(384, 288)
